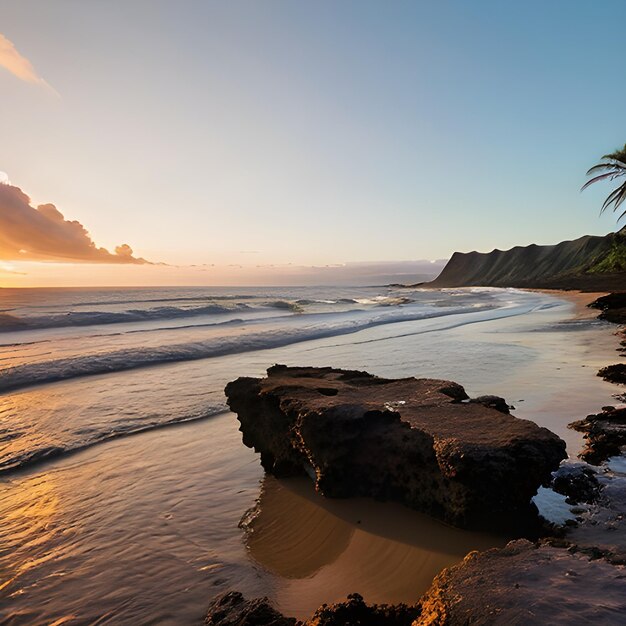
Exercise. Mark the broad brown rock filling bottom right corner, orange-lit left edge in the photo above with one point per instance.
(526, 584)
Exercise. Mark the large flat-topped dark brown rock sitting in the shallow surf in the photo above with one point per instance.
(417, 441)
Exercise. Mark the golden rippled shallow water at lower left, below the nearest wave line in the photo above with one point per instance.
(129, 531)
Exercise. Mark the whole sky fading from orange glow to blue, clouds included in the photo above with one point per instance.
(200, 142)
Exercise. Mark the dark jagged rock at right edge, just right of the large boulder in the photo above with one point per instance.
(605, 434)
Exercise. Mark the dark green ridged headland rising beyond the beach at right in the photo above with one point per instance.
(589, 263)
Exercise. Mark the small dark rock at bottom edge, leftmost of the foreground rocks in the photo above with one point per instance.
(232, 609)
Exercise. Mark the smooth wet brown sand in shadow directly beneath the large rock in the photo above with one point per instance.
(324, 549)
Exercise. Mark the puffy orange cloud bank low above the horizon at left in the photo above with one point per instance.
(29, 233)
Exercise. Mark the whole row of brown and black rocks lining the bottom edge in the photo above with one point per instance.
(522, 583)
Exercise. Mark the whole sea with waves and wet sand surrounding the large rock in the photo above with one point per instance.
(123, 479)
